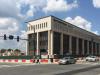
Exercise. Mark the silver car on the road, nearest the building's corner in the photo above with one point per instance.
(67, 60)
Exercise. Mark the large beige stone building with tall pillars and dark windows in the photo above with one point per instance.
(53, 36)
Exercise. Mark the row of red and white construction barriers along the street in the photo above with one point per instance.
(41, 61)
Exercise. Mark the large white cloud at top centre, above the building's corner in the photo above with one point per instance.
(59, 5)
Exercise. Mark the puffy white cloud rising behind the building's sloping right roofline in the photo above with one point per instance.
(81, 22)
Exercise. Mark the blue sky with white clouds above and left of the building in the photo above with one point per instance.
(14, 13)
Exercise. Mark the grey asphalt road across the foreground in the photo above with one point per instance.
(49, 69)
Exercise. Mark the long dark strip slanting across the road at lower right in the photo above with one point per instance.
(79, 70)
